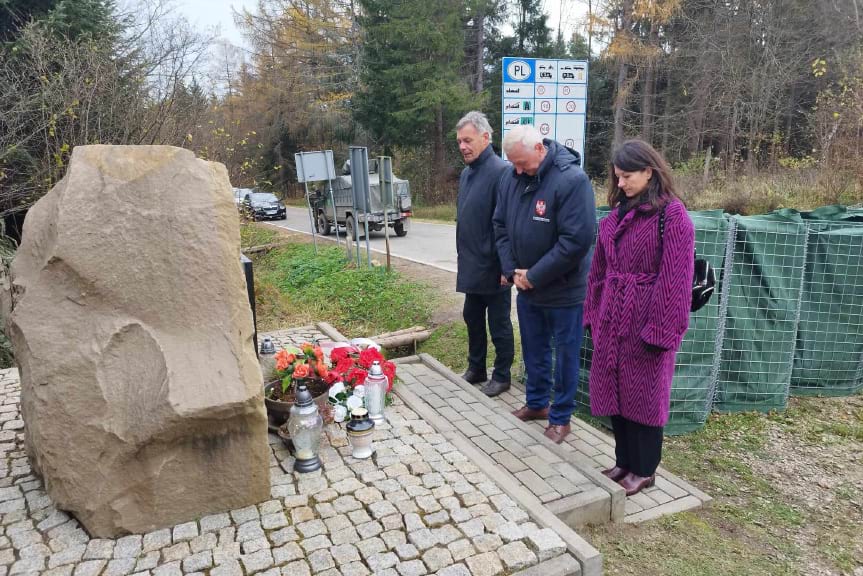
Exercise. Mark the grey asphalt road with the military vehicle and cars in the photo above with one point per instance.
(425, 243)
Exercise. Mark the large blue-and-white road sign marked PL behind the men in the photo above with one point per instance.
(549, 94)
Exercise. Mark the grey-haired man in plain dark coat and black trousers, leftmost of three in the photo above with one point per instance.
(479, 276)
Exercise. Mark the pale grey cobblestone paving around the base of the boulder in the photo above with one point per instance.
(420, 506)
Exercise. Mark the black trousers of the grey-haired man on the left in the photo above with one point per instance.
(497, 306)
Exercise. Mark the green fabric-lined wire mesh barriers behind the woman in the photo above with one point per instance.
(787, 317)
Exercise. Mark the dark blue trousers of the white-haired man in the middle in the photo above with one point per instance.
(540, 329)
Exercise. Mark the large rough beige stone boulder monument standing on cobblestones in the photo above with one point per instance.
(140, 390)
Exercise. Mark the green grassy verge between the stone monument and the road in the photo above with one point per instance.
(294, 286)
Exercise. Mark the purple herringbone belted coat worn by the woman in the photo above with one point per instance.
(637, 308)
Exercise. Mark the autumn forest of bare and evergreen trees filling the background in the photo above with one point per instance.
(758, 104)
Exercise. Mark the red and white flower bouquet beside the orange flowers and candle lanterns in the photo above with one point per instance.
(351, 367)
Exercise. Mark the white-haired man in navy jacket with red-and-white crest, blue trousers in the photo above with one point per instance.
(544, 227)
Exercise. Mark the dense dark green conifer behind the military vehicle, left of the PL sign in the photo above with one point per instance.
(411, 87)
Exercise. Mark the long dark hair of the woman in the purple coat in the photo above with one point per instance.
(634, 156)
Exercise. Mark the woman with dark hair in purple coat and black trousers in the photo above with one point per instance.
(637, 308)
